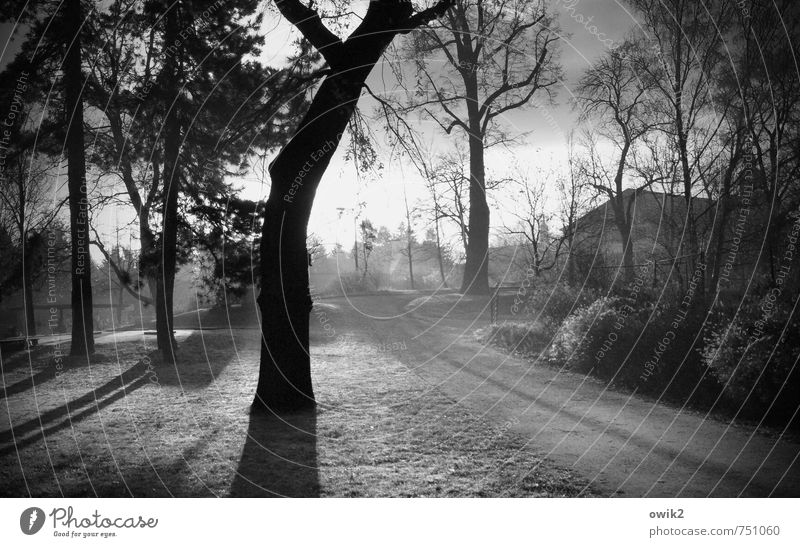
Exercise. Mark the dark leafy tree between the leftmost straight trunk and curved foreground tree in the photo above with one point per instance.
(179, 108)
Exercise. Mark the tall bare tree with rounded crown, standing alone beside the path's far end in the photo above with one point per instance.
(481, 61)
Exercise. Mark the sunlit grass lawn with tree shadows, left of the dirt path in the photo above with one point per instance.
(126, 425)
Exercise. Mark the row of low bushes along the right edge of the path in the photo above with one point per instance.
(741, 361)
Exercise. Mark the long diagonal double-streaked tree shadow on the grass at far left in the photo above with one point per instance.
(68, 414)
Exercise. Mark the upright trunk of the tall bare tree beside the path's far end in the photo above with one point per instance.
(476, 269)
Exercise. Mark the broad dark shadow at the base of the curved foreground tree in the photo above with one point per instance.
(279, 457)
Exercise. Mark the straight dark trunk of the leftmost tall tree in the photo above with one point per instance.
(82, 321)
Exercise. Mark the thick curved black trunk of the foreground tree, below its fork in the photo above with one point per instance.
(284, 381)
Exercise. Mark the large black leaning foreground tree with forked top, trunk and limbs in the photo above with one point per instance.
(285, 373)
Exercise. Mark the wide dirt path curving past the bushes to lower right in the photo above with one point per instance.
(623, 444)
